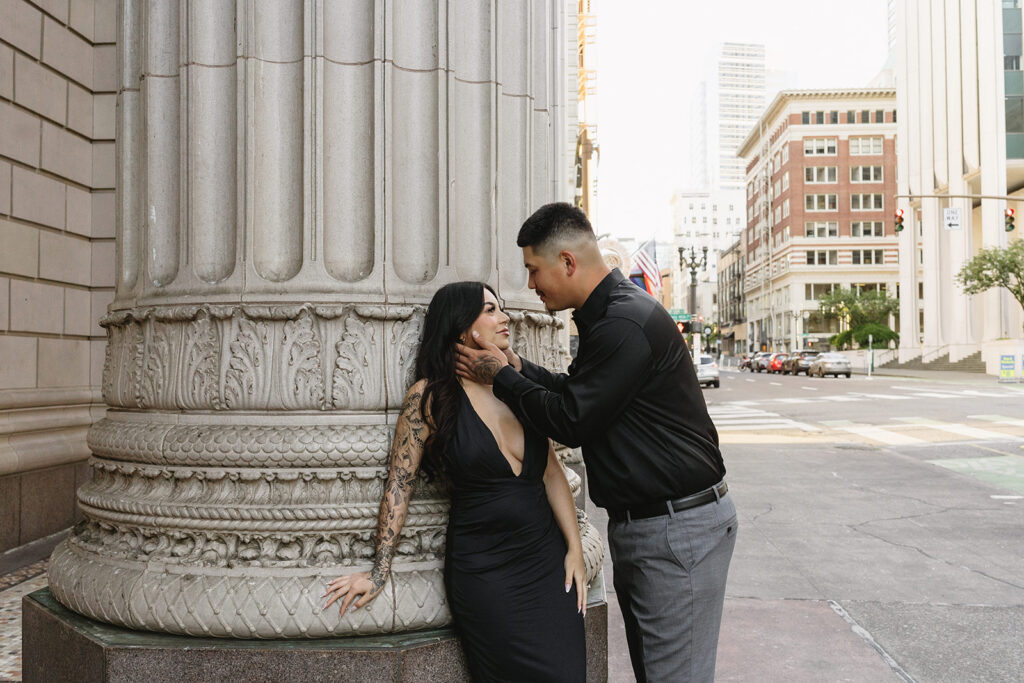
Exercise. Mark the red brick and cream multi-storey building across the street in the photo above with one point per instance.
(821, 196)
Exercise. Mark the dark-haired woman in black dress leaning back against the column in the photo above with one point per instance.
(505, 560)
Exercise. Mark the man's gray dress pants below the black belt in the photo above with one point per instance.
(670, 576)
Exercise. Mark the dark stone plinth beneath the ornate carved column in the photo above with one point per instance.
(59, 645)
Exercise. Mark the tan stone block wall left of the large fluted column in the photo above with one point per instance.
(58, 93)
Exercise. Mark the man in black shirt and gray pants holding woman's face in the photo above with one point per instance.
(631, 400)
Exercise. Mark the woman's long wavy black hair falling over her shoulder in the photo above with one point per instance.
(453, 310)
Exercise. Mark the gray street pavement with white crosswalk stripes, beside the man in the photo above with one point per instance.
(881, 530)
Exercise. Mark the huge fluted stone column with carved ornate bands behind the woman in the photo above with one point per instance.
(295, 180)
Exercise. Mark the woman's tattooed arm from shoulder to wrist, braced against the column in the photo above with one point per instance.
(407, 452)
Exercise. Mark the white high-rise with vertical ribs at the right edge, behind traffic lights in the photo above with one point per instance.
(961, 152)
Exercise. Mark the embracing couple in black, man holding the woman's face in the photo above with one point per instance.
(481, 420)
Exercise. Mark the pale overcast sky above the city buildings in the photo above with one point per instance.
(653, 55)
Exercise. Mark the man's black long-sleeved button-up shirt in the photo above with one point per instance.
(631, 400)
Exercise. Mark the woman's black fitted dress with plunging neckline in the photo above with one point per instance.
(504, 567)
